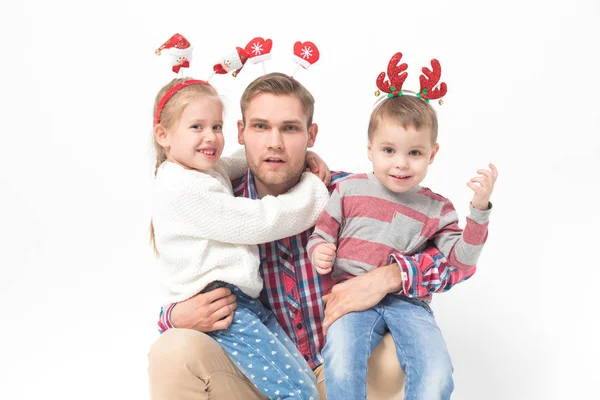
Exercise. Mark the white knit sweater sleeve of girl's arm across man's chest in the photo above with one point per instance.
(204, 208)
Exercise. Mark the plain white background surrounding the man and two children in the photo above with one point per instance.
(78, 81)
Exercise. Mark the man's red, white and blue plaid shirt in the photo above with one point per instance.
(293, 289)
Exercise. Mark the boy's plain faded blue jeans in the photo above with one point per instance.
(419, 344)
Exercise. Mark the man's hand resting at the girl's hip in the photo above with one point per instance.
(205, 312)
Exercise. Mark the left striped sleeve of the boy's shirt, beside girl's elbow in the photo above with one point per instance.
(328, 225)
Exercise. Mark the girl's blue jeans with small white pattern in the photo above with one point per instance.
(261, 349)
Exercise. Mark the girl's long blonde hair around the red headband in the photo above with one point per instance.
(169, 116)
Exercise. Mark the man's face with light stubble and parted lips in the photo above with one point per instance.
(276, 138)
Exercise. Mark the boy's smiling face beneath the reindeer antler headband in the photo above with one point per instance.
(401, 156)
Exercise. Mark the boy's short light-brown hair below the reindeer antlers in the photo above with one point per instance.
(408, 111)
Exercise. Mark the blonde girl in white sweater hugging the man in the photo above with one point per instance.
(204, 235)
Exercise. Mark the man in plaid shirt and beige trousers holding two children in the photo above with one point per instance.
(184, 363)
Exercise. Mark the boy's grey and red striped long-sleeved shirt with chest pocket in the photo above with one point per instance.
(370, 224)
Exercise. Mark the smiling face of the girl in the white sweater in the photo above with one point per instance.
(196, 140)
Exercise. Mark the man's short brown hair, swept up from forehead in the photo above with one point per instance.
(279, 84)
